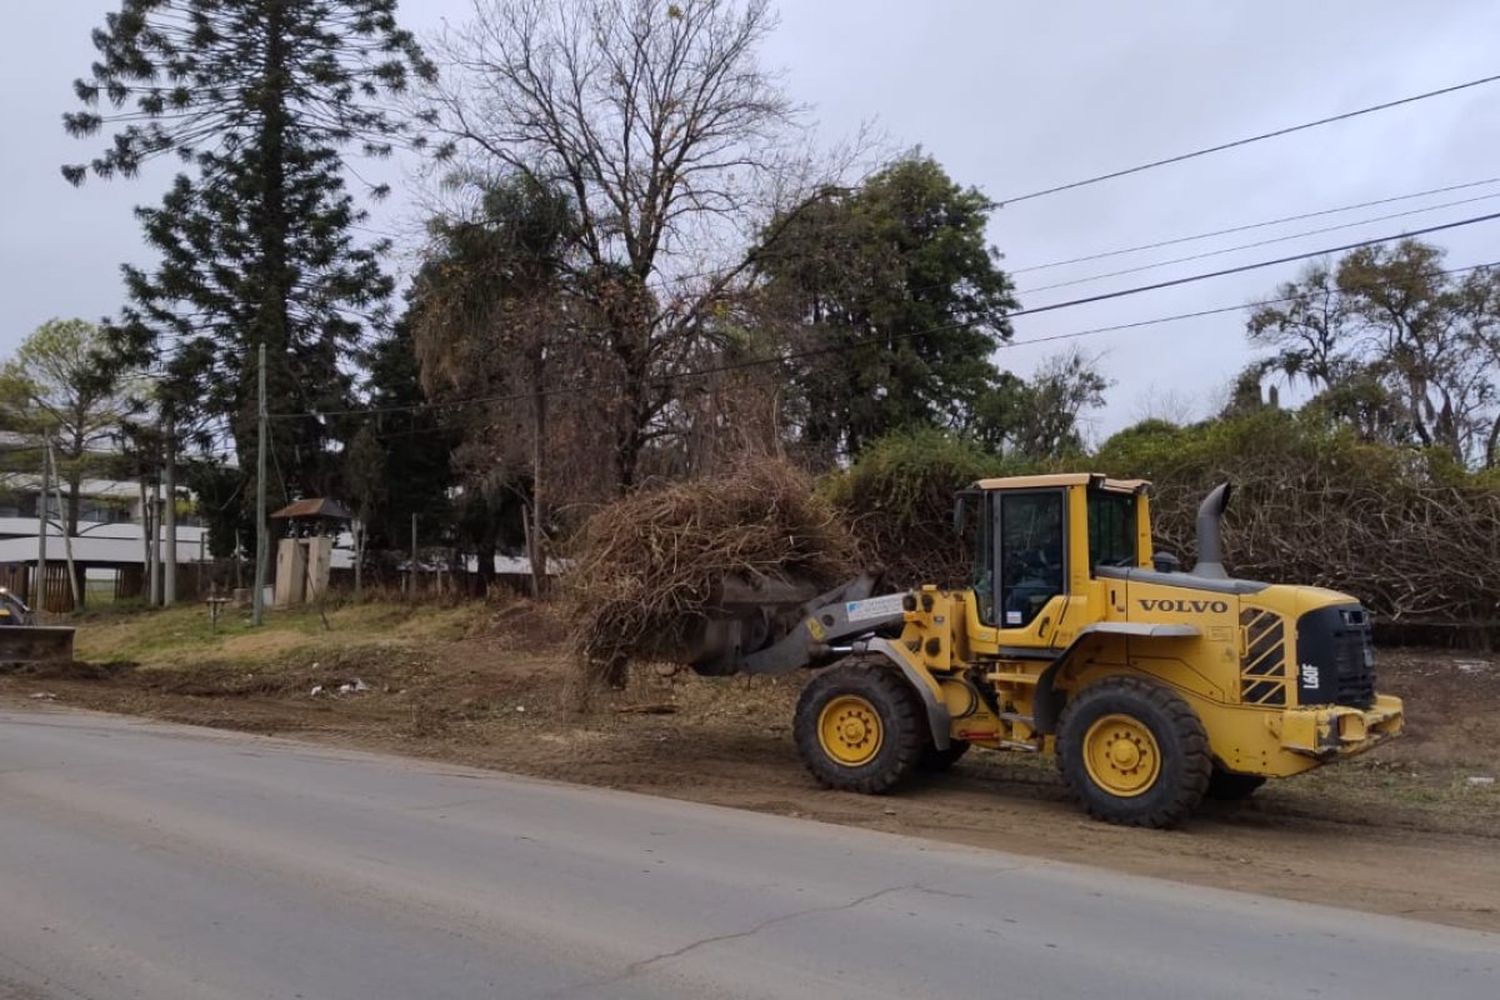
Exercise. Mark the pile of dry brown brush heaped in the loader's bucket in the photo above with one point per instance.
(644, 569)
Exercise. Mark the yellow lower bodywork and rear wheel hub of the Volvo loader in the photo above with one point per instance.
(946, 642)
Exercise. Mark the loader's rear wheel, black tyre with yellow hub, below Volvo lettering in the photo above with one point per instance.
(1169, 788)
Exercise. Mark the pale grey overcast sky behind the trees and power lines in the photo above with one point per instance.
(1009, 98)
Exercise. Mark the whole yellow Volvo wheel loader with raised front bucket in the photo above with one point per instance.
(1153, 687)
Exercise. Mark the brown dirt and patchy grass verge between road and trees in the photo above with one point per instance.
(1399, 831)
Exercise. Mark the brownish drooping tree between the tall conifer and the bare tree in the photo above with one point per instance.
(494, 320)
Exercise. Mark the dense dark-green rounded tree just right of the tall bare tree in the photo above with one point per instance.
(895, 301)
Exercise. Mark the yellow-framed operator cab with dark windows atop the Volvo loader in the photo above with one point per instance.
(1037, 542)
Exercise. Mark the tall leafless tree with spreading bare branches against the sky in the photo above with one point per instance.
(662, 128)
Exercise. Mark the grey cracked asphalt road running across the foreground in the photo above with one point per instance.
(161, 863)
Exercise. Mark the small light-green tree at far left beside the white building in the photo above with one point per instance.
(55, 389)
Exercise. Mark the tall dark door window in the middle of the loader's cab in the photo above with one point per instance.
(1031, 554)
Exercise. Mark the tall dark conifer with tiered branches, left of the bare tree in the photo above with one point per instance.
(262, 100)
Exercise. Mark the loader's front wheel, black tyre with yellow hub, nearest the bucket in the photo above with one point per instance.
(886, 698)
